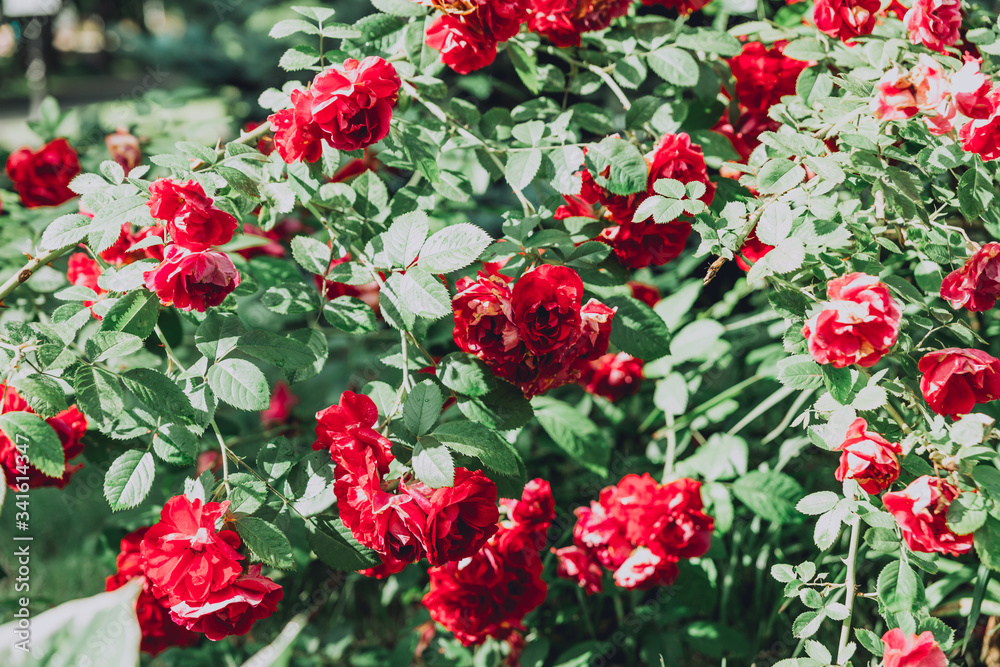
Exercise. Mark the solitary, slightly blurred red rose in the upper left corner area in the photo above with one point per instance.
(42, 177)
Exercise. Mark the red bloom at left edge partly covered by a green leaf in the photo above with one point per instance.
(70, 426)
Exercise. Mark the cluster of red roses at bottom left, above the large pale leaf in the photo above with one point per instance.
(193, 573)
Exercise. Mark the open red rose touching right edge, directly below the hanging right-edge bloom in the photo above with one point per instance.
(955, 380)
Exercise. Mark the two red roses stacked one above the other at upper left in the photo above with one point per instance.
(191, 276)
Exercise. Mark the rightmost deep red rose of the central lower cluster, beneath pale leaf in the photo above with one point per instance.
(459, 518)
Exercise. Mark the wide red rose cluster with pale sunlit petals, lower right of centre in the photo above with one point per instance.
(639, 530)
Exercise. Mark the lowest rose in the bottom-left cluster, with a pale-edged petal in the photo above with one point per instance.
(231, 610)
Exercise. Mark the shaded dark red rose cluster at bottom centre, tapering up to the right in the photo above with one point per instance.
(489, 594)
